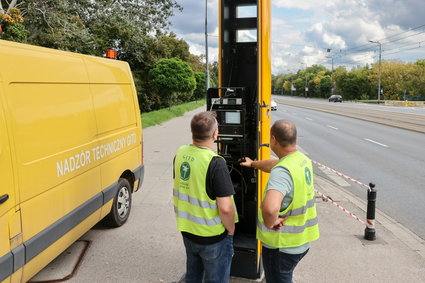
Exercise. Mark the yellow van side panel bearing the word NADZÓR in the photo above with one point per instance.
(54, 130)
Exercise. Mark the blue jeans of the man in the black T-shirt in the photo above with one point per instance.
(210, 263)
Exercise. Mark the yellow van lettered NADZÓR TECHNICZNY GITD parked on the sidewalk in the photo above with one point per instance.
(70, 152)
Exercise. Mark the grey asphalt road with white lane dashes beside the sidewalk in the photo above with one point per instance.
(390, 157)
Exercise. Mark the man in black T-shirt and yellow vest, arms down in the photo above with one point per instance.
(203, 203)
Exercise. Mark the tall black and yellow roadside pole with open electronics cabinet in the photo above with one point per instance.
(242, 103)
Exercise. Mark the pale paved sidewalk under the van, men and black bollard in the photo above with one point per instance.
(149, 249)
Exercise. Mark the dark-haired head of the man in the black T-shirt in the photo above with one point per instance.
(203, 125)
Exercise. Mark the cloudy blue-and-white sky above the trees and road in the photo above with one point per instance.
(305, 32)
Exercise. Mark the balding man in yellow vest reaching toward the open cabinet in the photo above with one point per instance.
(287, 223)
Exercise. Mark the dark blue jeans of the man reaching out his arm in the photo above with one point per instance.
(278, 266)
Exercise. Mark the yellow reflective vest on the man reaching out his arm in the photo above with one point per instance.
(301, 226)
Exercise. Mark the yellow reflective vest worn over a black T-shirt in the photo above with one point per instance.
(195, 212)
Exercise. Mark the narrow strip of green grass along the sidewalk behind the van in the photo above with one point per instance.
(157, 117)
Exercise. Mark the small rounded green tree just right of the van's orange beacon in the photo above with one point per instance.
(173, 79)
